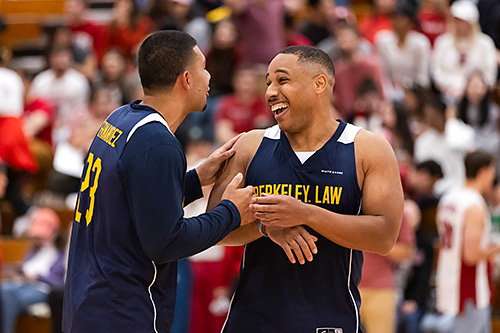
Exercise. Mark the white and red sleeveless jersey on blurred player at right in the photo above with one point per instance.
(457, 282)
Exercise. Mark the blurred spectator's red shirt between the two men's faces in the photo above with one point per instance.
(242, 116)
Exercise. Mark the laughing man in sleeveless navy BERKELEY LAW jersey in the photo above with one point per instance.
(326, 190)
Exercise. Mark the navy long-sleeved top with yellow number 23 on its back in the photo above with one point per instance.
(129, 228)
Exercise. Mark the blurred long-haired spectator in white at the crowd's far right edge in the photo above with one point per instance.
(478, 110)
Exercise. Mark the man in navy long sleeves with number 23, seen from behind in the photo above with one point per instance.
(128, 230)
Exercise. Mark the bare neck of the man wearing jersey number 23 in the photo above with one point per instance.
(169, 107)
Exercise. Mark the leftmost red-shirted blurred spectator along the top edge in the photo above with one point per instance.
(85, 33)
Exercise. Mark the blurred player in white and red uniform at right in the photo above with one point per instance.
(464, 230)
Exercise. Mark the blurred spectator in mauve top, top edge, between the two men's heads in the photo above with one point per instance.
(260, 26)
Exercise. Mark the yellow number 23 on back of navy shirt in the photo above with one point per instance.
(93, 171)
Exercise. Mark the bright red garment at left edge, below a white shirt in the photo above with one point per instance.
(14, 149)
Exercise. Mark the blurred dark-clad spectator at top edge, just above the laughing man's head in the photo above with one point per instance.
(316, 25)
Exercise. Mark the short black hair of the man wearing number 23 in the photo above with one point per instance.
(163, 56)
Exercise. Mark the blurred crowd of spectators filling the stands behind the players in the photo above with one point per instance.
(422, 73)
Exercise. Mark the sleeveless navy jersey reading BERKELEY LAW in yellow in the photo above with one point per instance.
(274, 295)
